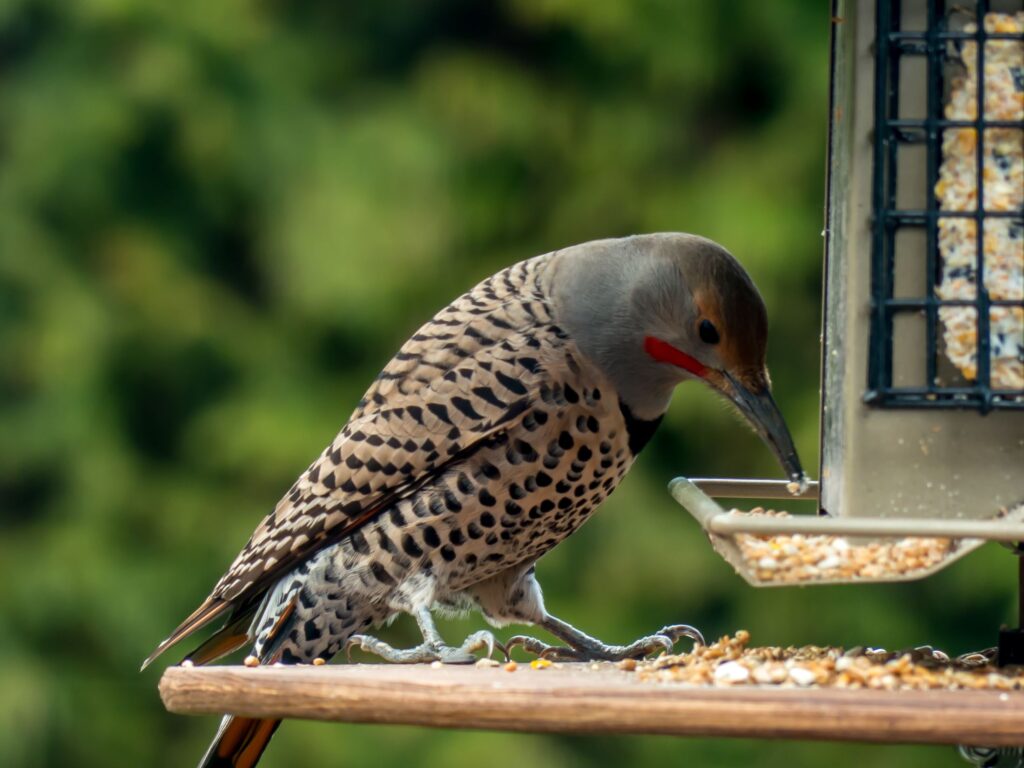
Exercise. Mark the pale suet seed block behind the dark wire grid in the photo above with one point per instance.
(957, 190)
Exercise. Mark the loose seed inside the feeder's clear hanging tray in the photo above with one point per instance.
(796, 558)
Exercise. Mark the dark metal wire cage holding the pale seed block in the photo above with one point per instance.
(941, 312)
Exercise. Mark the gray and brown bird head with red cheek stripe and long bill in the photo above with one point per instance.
(655, 311)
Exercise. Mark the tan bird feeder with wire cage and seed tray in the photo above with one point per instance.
(923, 367)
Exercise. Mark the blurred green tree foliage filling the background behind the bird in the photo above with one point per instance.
(218, 223)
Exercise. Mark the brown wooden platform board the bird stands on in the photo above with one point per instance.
(575, 699)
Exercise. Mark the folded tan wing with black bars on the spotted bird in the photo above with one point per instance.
(465, 377)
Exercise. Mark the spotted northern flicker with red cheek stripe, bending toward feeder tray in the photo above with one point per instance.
(493, 435)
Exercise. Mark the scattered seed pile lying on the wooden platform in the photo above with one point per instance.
(730, 662)
